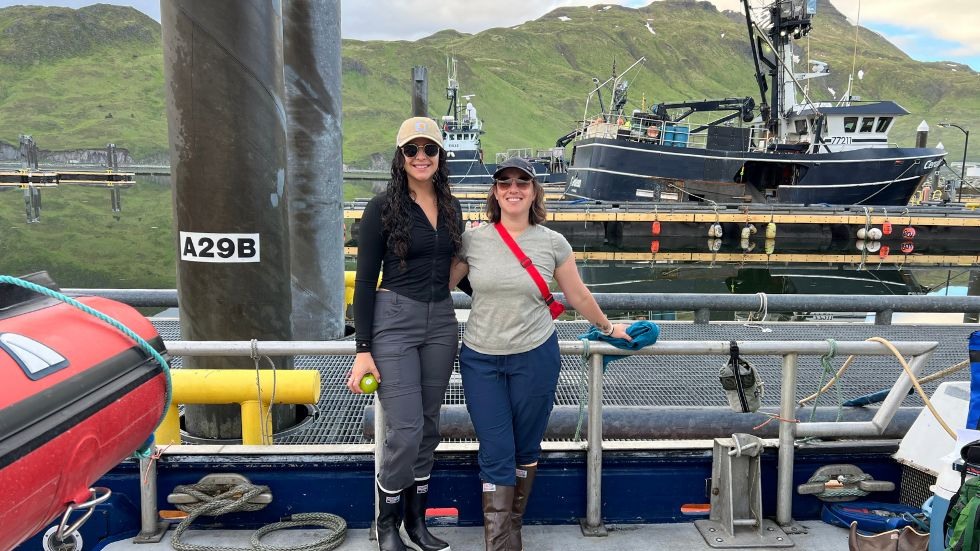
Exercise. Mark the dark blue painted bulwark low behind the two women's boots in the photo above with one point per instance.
(638, 487)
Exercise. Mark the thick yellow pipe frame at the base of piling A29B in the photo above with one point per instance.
(237, 386)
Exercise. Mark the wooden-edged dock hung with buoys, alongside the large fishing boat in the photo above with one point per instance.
(920, 236)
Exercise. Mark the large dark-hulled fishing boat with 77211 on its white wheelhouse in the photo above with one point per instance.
(788, 148)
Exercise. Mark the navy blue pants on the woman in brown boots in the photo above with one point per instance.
(509, 398)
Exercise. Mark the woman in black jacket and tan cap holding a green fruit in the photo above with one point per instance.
(407, 334)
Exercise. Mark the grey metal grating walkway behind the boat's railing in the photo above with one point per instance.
(658, 380)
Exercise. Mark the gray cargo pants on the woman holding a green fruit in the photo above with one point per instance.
(414, 344)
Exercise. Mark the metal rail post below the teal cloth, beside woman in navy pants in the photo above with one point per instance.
(592, 524)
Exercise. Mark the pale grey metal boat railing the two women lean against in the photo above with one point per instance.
(790, 428)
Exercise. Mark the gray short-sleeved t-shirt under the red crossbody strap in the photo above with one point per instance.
(508, 315)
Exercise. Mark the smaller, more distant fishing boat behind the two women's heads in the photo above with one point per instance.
(462, 130)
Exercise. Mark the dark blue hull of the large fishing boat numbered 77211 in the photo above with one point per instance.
(619, 170)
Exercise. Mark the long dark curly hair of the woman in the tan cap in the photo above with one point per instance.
(397, 210)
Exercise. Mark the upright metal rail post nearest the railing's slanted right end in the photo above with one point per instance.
(787, 439)
